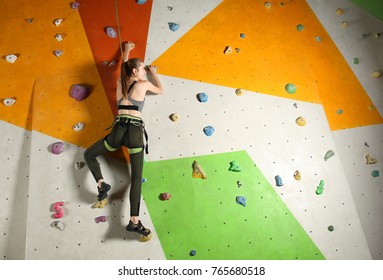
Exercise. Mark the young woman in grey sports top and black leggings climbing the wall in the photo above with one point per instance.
(128, 131)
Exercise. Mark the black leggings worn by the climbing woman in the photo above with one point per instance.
(127, 131)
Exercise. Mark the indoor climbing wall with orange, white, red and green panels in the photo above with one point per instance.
(294, 59)
